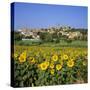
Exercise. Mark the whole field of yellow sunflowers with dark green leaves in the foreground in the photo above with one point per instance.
(43, 66)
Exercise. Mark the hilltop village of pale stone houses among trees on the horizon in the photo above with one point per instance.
(54, 32)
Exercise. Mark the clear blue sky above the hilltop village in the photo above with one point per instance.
(30, 15)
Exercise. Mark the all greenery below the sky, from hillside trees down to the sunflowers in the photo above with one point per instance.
(53, 59)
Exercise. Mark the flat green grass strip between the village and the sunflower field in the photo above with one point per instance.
(75, 43)
